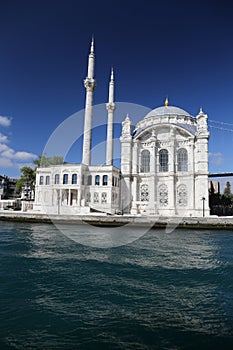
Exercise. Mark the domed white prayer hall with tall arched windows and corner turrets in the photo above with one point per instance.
(164, 164)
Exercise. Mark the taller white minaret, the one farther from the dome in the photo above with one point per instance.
(89, 84)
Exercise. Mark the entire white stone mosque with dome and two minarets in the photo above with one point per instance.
(164, 166)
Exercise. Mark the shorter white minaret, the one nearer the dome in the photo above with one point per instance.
(110, 106)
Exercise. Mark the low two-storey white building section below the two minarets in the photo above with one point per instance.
(77, 189)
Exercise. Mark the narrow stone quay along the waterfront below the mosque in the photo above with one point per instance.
(221, 223)
